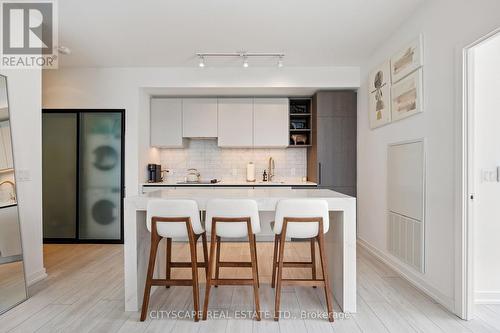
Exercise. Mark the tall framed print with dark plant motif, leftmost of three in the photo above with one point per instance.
(379, 96)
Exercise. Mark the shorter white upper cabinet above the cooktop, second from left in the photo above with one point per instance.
(199, 117)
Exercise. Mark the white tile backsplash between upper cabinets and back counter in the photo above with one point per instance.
(230, 164)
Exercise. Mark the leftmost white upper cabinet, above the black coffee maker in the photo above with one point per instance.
(166, 122)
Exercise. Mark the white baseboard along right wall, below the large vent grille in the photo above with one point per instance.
(415, 278)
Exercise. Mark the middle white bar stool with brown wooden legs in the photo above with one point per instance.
(232, 218)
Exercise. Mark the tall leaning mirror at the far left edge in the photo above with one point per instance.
(12, 278)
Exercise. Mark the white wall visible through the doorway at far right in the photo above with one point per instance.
(486, 226)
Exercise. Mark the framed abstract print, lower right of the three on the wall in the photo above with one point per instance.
(407, 96)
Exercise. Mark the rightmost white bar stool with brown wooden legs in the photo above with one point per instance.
(300, 218)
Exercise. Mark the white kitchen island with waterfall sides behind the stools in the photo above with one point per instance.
(340, 239)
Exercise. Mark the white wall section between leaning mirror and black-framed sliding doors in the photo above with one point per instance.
(25, 102)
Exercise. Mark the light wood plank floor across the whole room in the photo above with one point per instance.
(84, 293)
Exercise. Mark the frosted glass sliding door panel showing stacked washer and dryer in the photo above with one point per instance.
(100, 175)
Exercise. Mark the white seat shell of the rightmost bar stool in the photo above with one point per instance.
(297, 208)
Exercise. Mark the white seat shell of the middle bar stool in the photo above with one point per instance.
(228, 208)
